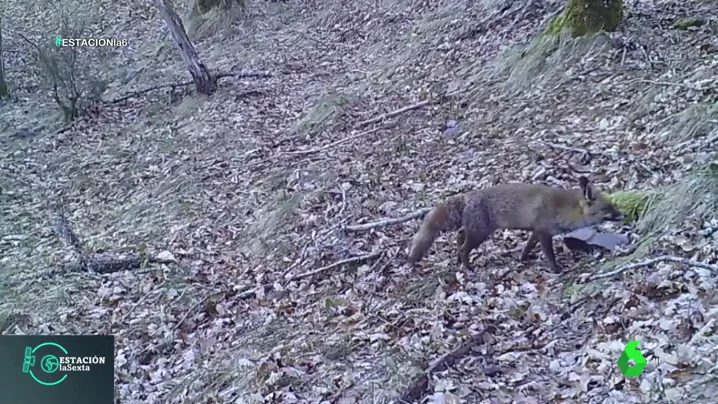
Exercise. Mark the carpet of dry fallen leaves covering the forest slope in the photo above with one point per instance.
(373, 110)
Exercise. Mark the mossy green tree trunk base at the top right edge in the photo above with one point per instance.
(583, 17)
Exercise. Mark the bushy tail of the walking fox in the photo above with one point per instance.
(446, 216)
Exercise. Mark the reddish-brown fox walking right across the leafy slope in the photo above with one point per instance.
(544, 210)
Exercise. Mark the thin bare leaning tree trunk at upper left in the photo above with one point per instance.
(203, 80)
